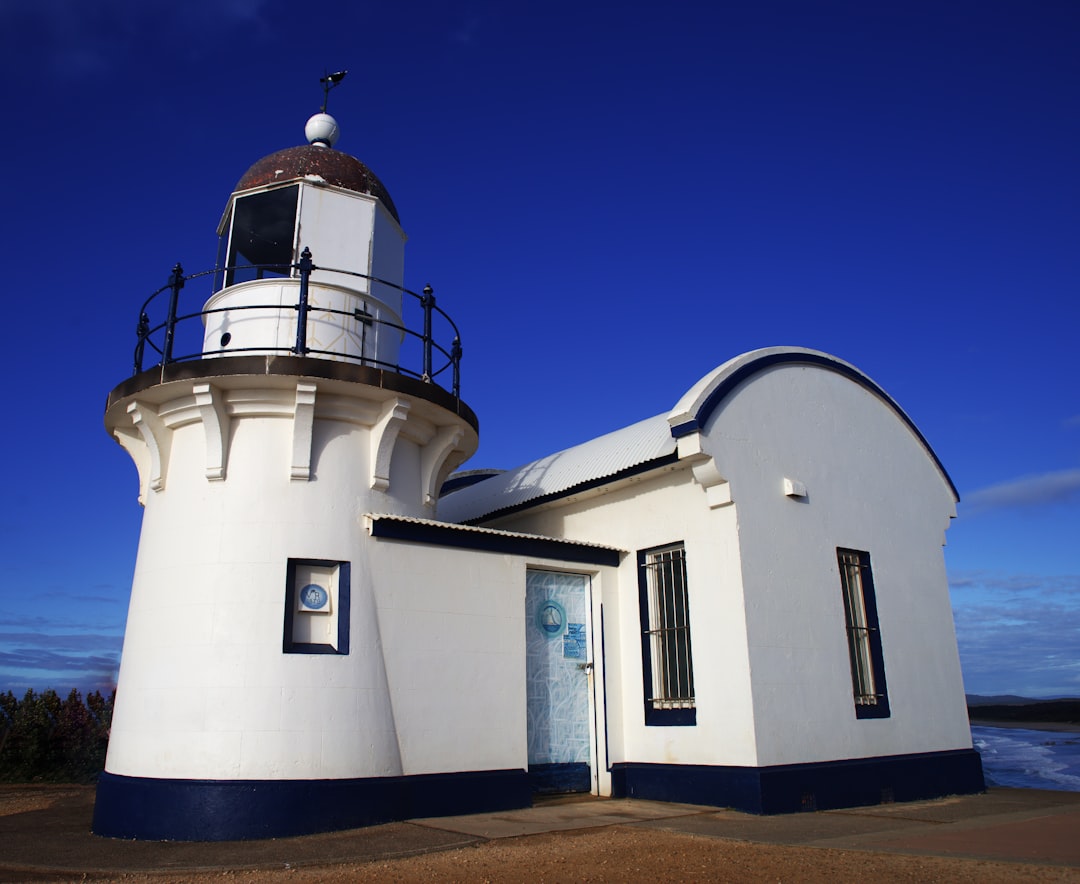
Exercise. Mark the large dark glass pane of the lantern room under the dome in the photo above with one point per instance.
(263, 234)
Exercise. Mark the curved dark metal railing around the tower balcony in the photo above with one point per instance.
(435, 360)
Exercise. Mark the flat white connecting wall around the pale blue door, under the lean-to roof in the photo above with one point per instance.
(452, 628)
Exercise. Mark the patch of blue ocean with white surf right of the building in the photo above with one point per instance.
(1027, 759)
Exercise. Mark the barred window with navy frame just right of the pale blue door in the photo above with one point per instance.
(667, 658)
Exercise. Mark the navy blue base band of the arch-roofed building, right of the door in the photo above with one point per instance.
(790, 788)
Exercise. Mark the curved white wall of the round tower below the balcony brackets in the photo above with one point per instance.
(206, 690)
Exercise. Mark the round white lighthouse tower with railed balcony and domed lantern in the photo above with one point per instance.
(253, 699)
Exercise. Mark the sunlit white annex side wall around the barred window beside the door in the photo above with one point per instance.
(660, 510)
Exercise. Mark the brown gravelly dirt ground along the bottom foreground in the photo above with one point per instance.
(617, 853)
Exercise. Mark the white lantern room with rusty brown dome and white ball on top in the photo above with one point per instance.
(317, 205)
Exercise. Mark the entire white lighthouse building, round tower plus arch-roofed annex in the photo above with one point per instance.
(740, 603)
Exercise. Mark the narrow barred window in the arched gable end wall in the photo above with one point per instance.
(865, 635)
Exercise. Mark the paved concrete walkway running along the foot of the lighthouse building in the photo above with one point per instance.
(1012, 825)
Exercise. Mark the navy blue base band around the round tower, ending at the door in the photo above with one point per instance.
(200, 810)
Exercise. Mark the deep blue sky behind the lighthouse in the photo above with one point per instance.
(611, 200)
